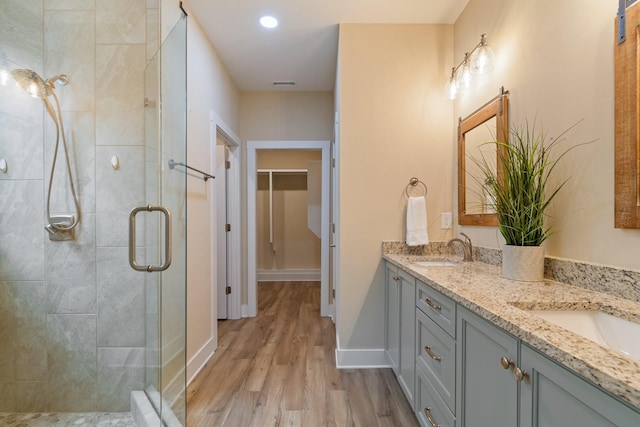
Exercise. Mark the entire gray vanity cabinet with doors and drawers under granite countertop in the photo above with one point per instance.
(458, 369)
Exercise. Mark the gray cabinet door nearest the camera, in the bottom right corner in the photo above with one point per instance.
(554, 396)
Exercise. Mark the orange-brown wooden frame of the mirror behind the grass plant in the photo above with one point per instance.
(497, 107)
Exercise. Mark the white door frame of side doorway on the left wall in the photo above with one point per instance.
(219, 129)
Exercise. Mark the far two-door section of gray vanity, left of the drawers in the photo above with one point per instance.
(400, 327)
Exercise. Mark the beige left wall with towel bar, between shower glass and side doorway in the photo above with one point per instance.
(210, 88)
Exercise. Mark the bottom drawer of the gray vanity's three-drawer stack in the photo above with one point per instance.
(430, 409)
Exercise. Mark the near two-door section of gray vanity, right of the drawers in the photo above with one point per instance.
(502, 380)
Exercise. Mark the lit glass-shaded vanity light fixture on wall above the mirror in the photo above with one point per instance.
(478, 61)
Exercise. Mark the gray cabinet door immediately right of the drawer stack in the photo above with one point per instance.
(487, 394)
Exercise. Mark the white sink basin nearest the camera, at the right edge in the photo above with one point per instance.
(610, 331)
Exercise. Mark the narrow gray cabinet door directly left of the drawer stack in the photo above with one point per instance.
(407, 334)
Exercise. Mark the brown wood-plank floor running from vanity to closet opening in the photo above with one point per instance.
(278, 369)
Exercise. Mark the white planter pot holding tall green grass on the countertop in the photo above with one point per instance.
(524, 263)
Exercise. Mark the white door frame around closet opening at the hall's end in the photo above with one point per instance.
(252, 148)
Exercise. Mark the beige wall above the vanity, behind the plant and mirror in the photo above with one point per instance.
(556, 58)
